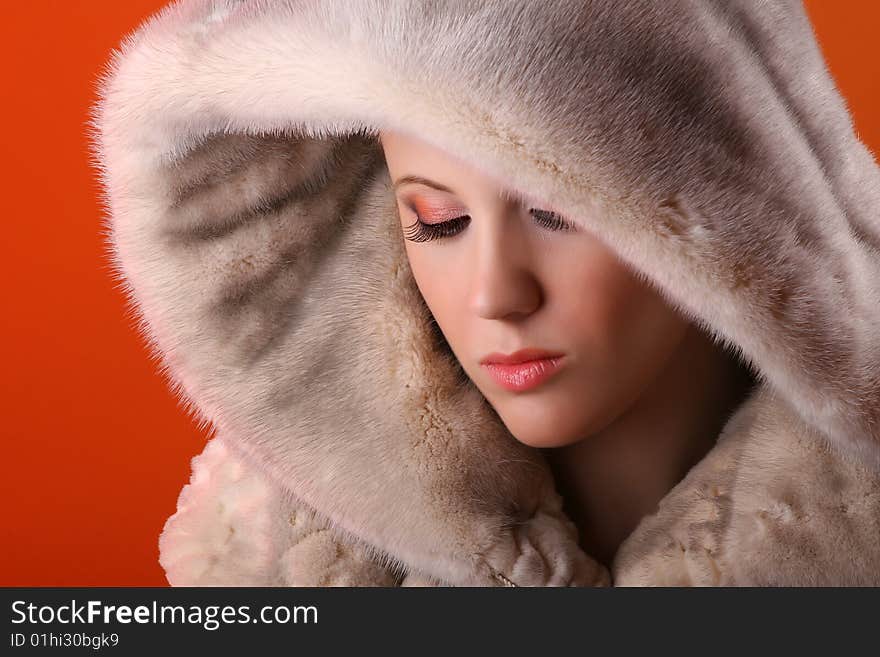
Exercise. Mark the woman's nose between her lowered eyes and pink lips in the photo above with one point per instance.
(504, 284)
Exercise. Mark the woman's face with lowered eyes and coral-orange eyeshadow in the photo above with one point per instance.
(501, 276)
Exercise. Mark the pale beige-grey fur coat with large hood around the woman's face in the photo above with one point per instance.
(252, 224)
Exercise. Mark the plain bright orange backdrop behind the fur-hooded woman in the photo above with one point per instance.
(95, 447)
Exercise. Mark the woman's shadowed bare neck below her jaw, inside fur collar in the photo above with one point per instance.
(613, 478)
